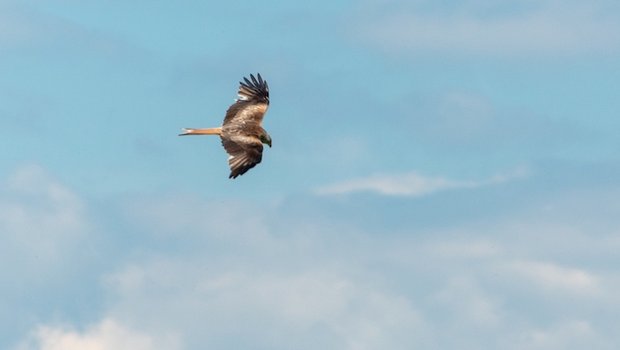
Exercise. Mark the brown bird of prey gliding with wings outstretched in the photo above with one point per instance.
(242, 133)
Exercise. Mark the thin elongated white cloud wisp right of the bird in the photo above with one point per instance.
(411, 184)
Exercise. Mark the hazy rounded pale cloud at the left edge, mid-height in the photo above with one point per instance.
(41, 220)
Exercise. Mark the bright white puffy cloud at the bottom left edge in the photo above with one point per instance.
(107, 335)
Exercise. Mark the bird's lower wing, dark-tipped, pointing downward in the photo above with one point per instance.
(244, 154)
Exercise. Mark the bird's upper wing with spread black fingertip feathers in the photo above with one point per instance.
(251, 106)
